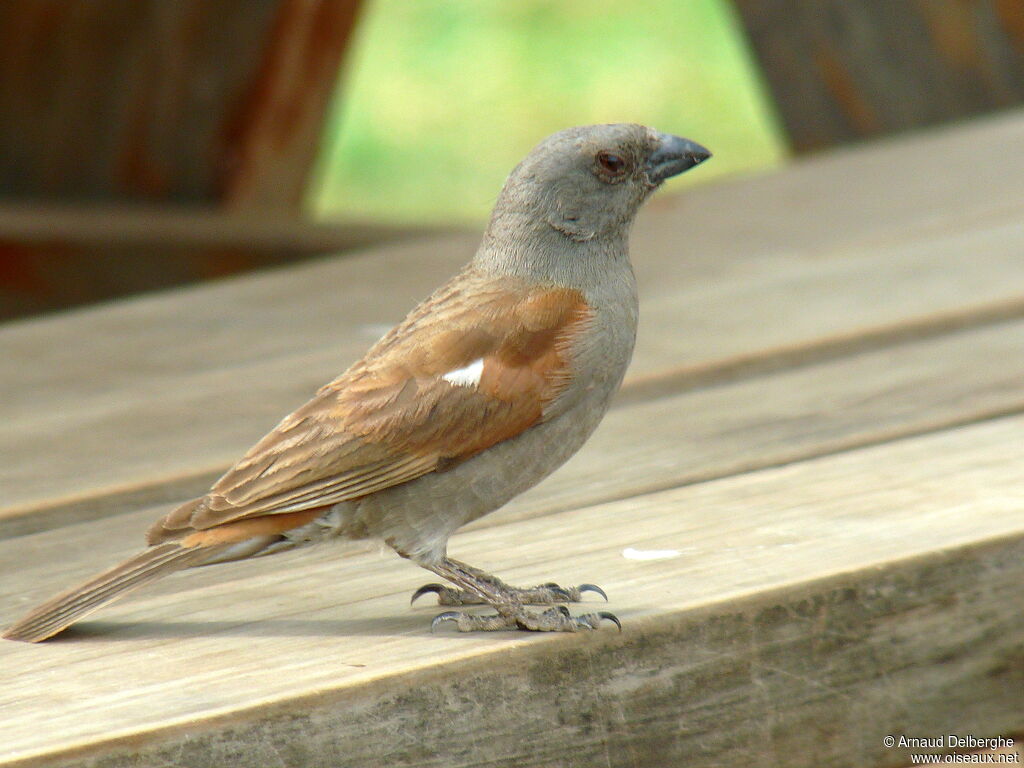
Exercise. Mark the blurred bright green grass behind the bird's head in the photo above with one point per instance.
(441, 99)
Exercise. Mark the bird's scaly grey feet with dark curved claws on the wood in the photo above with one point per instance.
(477, 587)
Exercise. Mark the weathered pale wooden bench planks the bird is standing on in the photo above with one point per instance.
(822, 433)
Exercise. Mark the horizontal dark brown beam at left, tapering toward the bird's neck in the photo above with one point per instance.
(60, 257)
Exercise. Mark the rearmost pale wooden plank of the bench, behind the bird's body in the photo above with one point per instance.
(151, 399)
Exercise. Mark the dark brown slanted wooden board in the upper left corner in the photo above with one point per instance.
(202, 102)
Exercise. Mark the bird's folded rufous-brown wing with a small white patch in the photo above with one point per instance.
(451, 381)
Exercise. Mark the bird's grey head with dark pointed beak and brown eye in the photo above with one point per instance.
(588, 183)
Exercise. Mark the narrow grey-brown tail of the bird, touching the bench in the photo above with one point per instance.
(63, 611)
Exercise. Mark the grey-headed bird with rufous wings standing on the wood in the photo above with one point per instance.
(486, 389)
